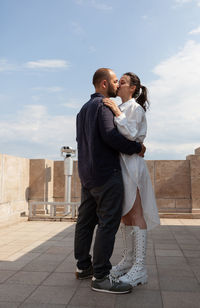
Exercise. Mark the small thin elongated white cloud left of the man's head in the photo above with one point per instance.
(47, 64)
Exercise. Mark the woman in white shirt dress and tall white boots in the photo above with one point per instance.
(139, 209)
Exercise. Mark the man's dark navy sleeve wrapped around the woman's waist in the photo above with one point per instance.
(111, 135)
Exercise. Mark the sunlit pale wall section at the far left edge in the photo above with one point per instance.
(14, 183)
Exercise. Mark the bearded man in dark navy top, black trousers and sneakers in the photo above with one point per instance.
(99, 144)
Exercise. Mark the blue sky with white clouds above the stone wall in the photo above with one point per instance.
(50, 49)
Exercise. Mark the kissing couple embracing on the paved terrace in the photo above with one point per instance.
(115, 183)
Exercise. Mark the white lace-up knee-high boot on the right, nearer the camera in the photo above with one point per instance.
(138, 273)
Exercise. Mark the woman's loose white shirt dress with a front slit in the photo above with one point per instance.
(132, 124)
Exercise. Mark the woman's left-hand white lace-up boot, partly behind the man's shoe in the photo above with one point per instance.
(128, 245)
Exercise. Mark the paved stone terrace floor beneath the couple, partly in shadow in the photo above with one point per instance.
(37, 268)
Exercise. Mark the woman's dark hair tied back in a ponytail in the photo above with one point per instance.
(140, 97)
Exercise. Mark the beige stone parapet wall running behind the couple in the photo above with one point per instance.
(176, 184)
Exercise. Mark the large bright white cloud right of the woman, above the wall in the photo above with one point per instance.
(174, 115)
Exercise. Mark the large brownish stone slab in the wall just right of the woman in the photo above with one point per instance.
(172, 179)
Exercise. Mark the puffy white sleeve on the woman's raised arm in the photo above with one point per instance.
(129, 125)
